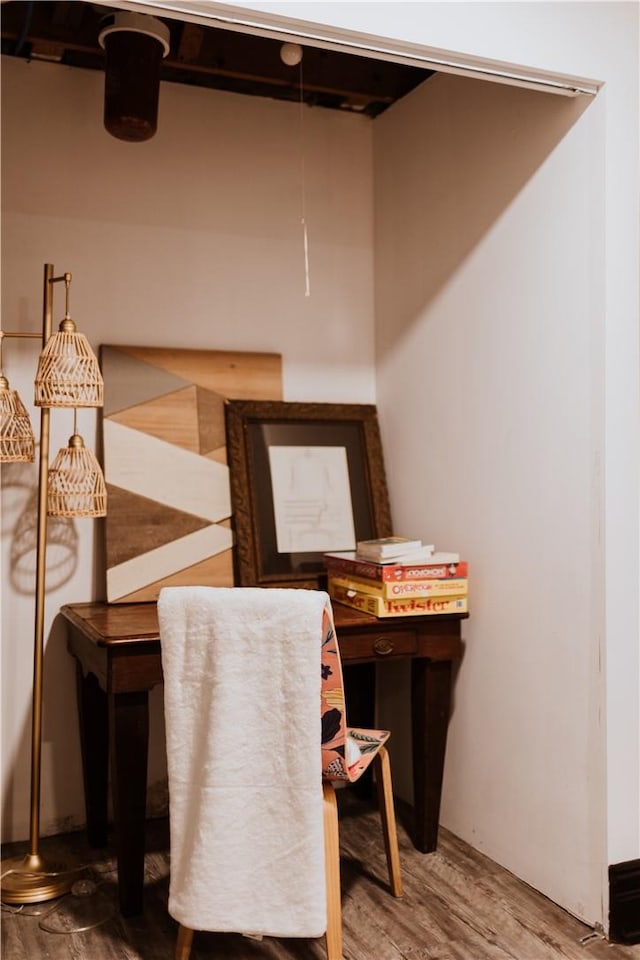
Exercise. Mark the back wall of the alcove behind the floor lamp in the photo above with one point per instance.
(192, 239)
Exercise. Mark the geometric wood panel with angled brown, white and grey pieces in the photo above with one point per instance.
(169, 516)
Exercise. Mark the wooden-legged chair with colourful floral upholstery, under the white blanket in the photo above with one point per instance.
(346, 753)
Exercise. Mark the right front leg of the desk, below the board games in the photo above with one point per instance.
(430, 707)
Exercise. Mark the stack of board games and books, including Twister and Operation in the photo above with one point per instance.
(395, 577)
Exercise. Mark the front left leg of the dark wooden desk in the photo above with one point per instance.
(129, 717)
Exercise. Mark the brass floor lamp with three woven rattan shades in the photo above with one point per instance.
(68, 375)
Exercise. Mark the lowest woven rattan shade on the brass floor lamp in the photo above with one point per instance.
(76, 485)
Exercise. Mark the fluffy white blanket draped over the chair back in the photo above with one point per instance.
(242, 708)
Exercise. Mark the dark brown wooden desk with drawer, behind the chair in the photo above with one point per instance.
(117, 651)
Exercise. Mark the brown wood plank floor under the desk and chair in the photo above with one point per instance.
(458, 905)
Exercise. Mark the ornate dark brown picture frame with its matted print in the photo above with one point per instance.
(306, 479)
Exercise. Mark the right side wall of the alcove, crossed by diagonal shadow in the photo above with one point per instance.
(490, 348)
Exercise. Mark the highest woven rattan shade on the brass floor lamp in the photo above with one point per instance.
(68, 374)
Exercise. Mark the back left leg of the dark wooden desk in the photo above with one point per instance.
(94, 744)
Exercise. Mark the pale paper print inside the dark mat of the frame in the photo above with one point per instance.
(311, 499)
